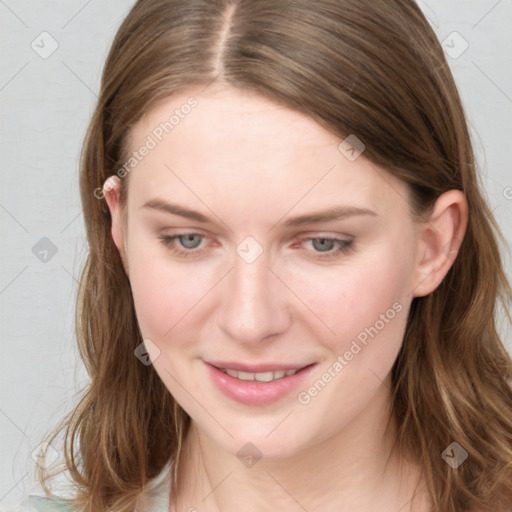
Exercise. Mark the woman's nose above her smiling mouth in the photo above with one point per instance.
(254, 302)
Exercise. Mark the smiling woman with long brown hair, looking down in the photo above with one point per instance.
(290, 297)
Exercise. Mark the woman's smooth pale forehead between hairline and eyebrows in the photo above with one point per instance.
(236, 148)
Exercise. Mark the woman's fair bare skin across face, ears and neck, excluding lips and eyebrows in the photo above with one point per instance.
(249, 165)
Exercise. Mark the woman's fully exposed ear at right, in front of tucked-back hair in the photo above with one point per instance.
(439, 241)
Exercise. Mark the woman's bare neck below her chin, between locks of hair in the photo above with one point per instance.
(353, 470)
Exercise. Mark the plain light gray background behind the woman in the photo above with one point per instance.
(46, 104)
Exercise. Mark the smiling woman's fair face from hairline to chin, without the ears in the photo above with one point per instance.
(253, 279)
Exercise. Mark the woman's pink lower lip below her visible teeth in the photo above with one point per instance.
(252, 392)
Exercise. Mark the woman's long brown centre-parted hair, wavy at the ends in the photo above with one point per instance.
(372, 68)
